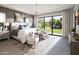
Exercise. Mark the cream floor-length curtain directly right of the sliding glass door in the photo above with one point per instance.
(65, 22)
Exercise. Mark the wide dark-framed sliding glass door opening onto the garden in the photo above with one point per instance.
(51, 25)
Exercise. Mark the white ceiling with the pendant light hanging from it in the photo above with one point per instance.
(41, 8)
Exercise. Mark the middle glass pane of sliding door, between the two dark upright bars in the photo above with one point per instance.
(48, 25)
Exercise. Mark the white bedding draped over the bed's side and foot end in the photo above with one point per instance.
(22, 34)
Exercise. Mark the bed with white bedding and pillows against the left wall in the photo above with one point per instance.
(21, 33)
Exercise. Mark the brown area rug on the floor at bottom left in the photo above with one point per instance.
(10, 47)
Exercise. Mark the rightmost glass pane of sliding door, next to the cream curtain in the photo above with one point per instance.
(57, 25)
